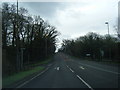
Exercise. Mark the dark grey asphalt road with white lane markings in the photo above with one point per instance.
(65, 72)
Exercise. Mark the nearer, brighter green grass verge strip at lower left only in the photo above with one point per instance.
(18, 76)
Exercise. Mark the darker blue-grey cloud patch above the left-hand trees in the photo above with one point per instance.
(45, 9)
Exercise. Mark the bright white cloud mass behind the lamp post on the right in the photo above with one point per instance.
(91, 17)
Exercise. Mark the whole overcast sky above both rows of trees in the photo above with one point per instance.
(74, 19)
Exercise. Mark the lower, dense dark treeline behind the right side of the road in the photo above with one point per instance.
(93, 46)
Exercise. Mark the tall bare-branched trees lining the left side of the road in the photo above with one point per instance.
(25, 38)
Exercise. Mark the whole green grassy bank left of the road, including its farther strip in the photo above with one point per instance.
(33, 68)
